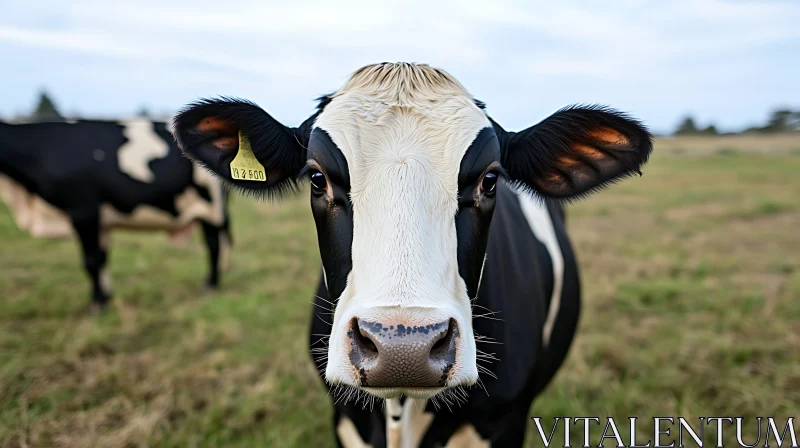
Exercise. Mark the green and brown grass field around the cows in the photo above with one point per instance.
(691, 276)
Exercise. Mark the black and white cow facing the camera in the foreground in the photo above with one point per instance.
(428, 210)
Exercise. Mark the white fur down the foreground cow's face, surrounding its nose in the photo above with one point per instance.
(404, 150)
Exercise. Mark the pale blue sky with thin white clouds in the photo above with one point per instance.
(729, 62)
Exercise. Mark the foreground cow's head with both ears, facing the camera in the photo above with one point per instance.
(403, 165)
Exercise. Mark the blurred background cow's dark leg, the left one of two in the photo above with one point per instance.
(95, 255)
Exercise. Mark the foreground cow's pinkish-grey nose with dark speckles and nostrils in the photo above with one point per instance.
(397, 355)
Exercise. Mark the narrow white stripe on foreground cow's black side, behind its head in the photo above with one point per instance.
(541, 224)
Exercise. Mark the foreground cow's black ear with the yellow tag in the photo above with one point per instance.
(214, 132)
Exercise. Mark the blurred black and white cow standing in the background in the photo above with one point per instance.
(87, 177)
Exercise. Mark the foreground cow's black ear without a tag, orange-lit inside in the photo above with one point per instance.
(575, 151)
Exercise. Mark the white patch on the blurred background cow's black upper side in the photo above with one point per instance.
(143, 146)
